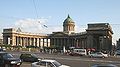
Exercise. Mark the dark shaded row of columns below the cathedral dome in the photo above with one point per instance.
(68, 42)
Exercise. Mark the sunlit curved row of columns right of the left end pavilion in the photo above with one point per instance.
(39, 42)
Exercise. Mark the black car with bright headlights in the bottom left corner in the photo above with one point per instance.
(7, 60)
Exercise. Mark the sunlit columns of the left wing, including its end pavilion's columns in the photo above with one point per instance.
(27, 41)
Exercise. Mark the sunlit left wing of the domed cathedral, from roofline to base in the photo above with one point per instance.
(17, 37)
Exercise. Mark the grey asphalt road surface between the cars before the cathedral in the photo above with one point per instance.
(73, 61)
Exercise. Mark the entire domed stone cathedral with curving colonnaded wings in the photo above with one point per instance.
(97, 36)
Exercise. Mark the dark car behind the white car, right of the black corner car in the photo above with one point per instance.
(26, 57)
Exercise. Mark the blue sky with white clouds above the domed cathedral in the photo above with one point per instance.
(34, 15)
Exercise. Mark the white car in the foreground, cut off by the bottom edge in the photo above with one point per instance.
(47, 63)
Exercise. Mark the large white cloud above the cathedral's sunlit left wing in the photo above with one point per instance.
(36, 25)
